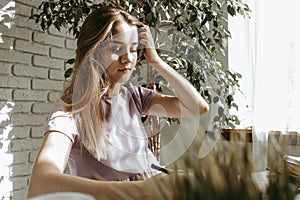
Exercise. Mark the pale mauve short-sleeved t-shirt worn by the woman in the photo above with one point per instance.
(127, 152)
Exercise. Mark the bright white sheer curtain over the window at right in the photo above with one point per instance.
(266, 51)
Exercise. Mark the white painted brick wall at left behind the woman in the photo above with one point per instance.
(32, 65)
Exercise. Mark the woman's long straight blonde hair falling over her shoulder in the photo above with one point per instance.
(89, 83)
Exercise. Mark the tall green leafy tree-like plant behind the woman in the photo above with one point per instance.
(202, 22)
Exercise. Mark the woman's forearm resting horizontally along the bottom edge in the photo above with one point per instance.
(57, 182)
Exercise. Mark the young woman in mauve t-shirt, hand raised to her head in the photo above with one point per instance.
(96, 126)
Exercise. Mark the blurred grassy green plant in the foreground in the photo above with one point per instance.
(227, 173)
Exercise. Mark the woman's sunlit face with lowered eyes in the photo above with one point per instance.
(120, 54)
